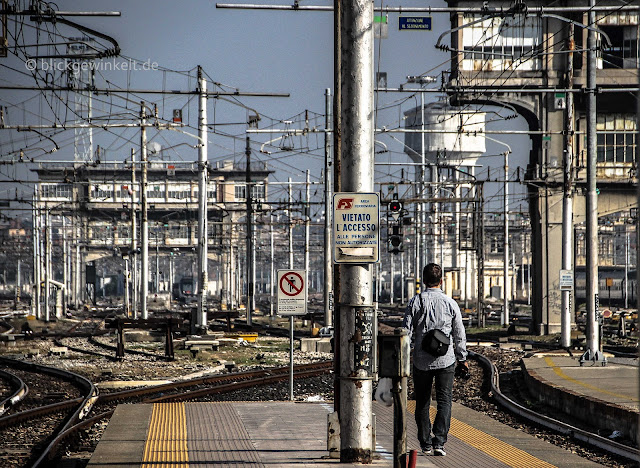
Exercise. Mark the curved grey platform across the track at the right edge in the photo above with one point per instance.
(605, 397)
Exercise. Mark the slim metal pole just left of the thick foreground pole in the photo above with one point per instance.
(328, 263)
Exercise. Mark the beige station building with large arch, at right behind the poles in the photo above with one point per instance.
(527, 56)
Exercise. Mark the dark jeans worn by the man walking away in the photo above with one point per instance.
(422, 383)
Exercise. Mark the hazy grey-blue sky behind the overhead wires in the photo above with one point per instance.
(247, 50)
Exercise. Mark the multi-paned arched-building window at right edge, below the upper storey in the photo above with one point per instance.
(616, 138)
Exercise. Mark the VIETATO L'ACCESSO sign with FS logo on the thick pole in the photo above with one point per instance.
(356, 223)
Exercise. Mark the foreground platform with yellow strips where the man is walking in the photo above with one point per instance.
(293, 434)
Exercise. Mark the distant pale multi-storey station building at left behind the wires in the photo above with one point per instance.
(90, 212)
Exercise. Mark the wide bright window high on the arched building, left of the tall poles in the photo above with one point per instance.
(498, 44)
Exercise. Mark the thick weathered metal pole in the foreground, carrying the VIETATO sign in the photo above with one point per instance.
(356, 311)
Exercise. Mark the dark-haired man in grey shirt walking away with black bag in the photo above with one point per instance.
(427, 311)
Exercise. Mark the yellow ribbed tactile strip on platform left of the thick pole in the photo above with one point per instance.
(166, 444)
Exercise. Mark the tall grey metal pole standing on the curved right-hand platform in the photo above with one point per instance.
(593, 344)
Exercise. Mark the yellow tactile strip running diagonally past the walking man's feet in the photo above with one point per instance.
(495, 448)
